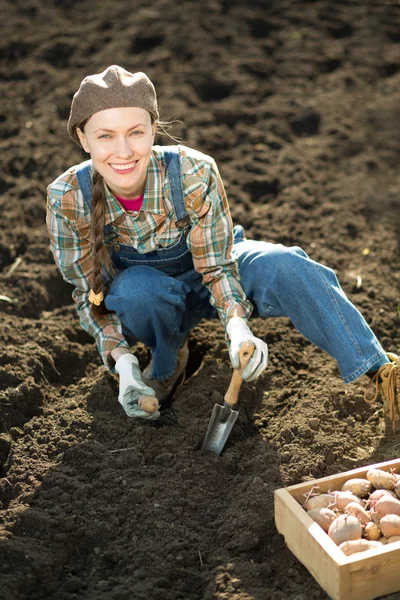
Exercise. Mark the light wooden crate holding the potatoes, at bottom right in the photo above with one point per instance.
(361, 576)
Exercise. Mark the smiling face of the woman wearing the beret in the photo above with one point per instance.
(119, 141)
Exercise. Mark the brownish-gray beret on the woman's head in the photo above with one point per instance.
(113, 88)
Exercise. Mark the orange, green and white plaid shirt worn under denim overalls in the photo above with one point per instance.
(209, 240)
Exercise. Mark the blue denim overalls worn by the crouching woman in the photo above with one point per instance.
(159, 297)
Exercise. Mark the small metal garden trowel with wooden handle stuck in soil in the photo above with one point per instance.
(223, 416)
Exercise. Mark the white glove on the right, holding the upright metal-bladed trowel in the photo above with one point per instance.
(239, 332)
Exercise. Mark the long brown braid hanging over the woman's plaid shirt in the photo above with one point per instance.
(101, 256)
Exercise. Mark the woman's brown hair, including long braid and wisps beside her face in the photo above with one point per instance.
(101, 256)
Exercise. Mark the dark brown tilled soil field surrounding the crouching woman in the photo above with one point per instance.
(299, 103)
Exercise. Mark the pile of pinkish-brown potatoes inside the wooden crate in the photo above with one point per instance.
(364, 514)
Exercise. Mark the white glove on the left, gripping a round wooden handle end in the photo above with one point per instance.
(132, 387)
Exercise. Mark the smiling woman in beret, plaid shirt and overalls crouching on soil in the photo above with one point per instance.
(144, 234)
